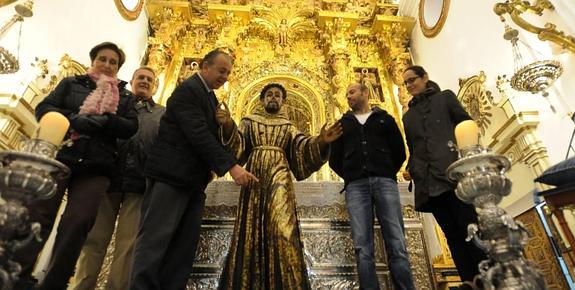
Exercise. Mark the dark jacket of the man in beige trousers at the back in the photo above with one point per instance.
(134, 151)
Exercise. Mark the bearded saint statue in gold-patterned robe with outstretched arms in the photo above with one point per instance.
(266, 251)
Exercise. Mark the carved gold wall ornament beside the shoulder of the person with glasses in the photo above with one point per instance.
(476, 99)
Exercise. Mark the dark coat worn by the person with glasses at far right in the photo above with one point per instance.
(429, 129)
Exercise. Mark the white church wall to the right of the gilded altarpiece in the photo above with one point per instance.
(472, 41)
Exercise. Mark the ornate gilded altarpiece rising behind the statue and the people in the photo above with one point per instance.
(315, 47)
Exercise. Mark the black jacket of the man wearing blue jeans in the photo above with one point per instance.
(372, 149)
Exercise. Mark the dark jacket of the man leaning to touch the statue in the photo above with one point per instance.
(187, 148)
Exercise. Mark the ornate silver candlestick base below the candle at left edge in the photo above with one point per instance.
(25, 175)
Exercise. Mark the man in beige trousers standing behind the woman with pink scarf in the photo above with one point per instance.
(125, 195)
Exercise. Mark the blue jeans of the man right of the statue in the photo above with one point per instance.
(361, 196)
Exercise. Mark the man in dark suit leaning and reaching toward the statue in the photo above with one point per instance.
(179, 166)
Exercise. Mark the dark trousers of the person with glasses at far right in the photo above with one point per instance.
(453, 216)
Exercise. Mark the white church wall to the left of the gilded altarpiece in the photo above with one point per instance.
(73, 27)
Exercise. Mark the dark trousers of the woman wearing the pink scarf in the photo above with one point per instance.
(84, 194)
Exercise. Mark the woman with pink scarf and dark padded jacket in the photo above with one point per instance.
(100, 111)
